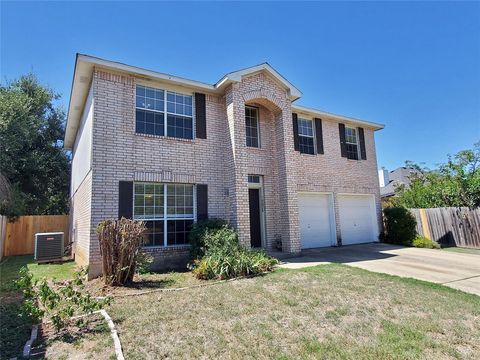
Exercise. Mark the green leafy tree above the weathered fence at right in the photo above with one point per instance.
(453, 184)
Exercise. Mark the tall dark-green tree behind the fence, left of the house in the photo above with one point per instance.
(32, 158)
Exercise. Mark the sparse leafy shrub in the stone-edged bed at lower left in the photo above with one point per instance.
(59, 303)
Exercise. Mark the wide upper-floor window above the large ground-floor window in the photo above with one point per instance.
(160, 112)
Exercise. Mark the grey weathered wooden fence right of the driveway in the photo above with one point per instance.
(450, 226)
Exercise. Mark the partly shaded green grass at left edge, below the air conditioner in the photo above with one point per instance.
(15, 328)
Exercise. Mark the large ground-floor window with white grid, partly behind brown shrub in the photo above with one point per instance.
(168, 211)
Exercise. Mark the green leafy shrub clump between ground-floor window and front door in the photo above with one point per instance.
(218, 255)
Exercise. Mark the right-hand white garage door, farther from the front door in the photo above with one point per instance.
(358, 222)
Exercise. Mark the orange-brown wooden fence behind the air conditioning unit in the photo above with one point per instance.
(20, 235)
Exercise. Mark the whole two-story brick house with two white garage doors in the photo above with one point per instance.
(171, 151)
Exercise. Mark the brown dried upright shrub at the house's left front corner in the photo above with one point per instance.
(120, 244)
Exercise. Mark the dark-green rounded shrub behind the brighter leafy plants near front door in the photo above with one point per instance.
(200, 236)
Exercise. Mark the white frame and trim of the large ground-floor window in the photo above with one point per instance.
(165, 217)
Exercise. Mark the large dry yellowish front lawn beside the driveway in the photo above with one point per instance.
(329, 311)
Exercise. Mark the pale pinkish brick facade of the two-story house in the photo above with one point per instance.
(222, 161)
